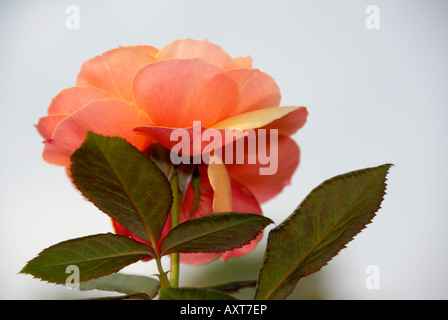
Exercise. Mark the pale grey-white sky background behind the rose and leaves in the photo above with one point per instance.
(373, 96)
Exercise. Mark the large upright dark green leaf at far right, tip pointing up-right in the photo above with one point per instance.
(327, 219)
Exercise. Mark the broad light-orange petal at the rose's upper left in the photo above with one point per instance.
(114, 70)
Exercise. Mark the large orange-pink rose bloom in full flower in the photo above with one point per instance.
(142, 94)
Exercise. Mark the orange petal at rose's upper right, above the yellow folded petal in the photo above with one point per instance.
(258, 90)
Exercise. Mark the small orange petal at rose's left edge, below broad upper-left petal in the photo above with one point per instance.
(72, 99)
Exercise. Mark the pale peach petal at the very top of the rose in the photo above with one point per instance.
(191, 49)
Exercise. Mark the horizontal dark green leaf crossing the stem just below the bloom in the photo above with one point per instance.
(214, 233)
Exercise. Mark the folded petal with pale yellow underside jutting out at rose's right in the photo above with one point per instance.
(286, 119)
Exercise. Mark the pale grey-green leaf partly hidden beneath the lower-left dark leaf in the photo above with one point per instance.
(132, 285)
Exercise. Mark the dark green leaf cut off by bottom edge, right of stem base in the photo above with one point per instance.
(193, 294)
